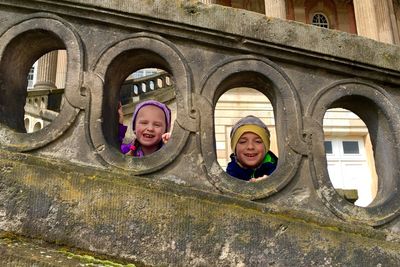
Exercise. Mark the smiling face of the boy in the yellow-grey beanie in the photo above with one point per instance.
(250, 150)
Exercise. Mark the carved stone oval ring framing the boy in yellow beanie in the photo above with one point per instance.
(268, 78)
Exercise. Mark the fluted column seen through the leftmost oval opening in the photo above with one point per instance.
(47, 70)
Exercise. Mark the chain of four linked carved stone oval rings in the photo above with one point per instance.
(98, 85)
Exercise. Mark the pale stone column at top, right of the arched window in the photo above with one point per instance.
(373, 20)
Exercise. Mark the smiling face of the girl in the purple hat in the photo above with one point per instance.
(149, 127)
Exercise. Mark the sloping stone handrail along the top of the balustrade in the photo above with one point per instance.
(247, 24)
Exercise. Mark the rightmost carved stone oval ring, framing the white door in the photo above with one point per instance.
(374, 105)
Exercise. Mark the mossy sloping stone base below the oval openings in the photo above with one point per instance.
(135, 218)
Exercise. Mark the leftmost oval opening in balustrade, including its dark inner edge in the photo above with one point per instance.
(20, 99)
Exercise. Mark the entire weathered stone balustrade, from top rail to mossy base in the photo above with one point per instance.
(68, 183)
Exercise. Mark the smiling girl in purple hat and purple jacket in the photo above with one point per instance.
(151, 123)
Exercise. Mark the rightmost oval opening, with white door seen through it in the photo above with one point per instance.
(350, 157)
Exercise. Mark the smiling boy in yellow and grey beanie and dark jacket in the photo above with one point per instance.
(251, 159)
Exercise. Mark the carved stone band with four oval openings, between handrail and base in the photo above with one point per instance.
(202, 71)
